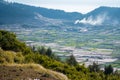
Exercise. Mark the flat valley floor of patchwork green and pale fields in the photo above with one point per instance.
(87, 43)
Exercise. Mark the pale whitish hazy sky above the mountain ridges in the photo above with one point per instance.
(82, 6)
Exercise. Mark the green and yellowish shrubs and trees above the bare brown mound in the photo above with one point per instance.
(15, 52)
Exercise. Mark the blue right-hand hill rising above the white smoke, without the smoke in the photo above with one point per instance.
(111, 14)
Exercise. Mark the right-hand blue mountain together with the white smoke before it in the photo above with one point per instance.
(102, 15)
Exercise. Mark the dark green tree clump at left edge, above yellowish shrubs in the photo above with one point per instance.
(8, 41)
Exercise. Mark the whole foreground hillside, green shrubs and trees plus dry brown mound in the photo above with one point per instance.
(15, 56)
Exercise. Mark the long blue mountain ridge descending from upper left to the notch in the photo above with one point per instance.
(14, 12)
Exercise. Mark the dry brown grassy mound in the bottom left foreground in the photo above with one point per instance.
(27, 72)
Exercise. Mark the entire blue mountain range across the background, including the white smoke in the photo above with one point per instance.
(20, 13)
